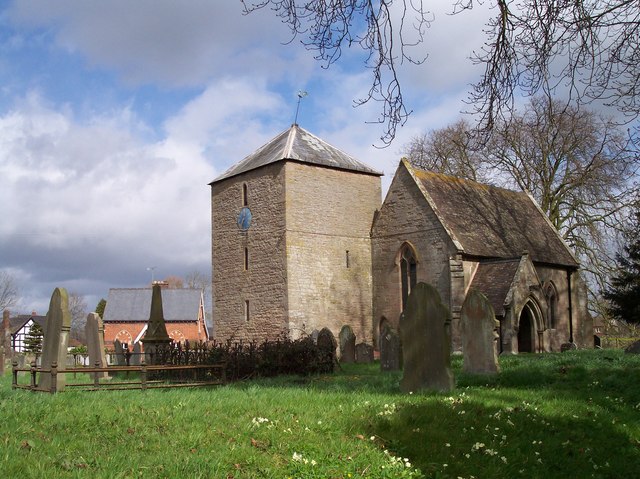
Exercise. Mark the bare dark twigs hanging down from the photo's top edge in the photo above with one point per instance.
(589, 47)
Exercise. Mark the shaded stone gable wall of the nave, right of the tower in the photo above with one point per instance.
(406, 217)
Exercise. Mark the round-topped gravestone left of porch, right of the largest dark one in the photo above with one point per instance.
(479, 334)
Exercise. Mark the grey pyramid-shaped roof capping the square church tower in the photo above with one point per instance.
(297, 144)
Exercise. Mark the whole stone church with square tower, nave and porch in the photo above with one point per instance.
(302, 241)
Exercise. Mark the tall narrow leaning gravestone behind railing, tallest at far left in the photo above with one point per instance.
(56, 340)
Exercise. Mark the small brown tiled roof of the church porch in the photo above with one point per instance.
(494, 281)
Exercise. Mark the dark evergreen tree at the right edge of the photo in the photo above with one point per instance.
(624, 292)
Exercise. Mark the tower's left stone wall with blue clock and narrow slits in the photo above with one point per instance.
(262, 284)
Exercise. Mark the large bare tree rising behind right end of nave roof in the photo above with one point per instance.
(581, 168)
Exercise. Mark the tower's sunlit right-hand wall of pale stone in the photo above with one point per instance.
(328, 215)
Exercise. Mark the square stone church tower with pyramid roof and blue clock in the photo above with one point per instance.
(291, 246)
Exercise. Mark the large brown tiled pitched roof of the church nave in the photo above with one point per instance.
(487, 221)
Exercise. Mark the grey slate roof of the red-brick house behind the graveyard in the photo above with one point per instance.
(134, 304)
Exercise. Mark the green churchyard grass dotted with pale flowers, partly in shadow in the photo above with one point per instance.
(575, 414)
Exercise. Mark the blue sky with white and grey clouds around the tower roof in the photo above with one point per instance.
(115, 115)
